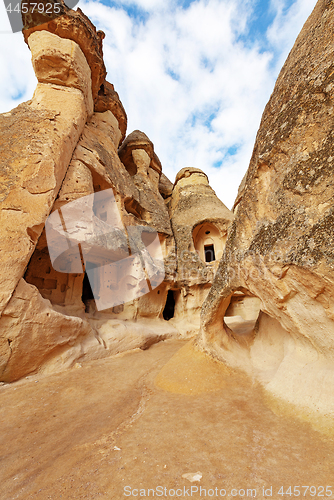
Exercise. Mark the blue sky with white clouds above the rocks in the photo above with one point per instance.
(194, 75)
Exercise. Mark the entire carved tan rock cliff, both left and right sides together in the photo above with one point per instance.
(133, 256)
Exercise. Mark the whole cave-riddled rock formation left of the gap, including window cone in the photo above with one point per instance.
(89, 223)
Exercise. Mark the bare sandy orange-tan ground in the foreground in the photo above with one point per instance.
(144, 419)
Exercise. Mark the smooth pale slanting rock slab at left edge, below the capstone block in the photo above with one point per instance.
(38, 139)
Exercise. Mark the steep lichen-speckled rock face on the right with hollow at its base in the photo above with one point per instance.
(279, 248)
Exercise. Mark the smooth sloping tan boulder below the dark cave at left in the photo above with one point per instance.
(34, 332)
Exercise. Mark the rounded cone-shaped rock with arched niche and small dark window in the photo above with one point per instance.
(200, 222)
